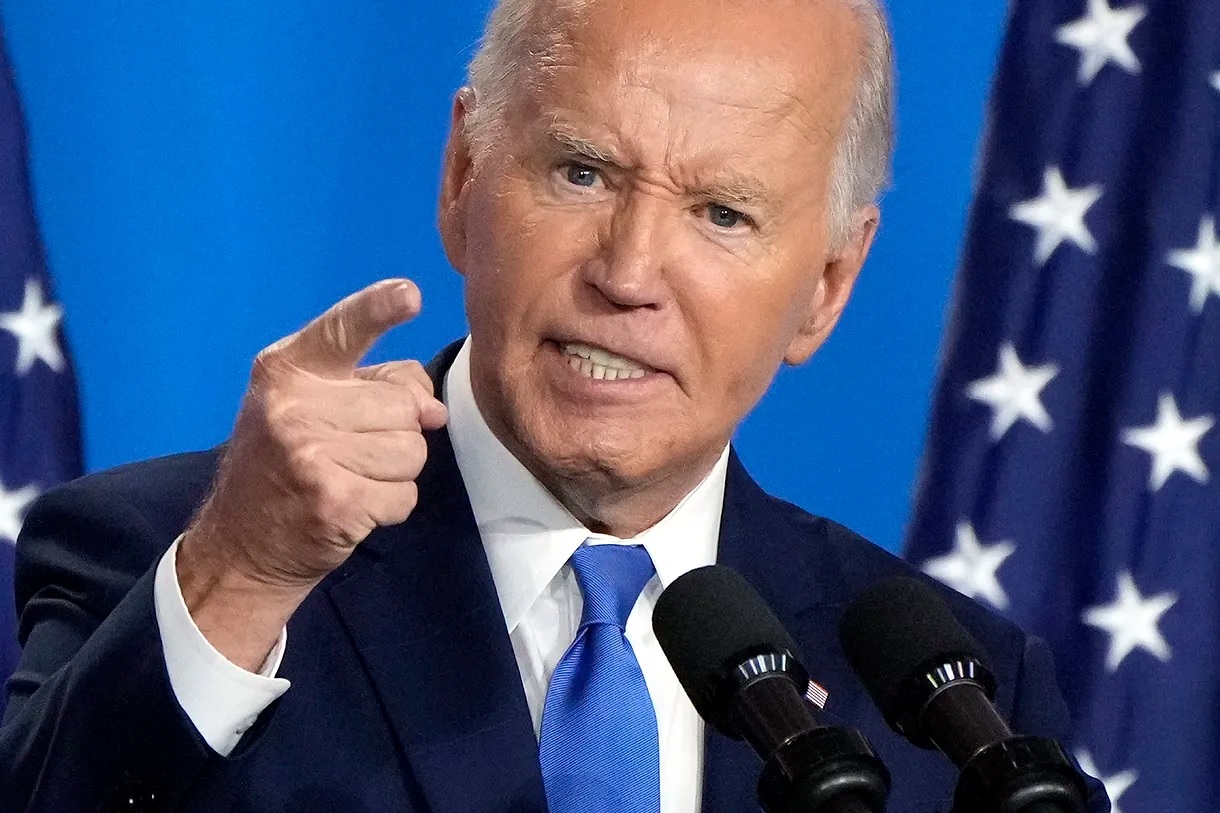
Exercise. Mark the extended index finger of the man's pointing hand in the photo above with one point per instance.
(335, 342)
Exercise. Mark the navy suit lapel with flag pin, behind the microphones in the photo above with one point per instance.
(798, 579)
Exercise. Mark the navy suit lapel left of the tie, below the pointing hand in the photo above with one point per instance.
(420, 604)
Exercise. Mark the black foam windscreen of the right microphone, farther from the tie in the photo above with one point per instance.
(894, 631)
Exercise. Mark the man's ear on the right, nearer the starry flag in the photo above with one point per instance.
(835, 287)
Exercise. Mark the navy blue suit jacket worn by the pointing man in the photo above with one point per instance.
(406, 690)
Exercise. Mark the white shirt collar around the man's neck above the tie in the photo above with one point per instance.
(530, 537)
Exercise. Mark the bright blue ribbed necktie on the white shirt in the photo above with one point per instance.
(600, 749)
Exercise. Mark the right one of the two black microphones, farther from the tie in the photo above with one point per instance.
(931, 682)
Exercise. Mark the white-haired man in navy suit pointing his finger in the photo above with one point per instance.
(378, 596)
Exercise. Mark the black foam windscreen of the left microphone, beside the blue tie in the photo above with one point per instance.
(708, 622)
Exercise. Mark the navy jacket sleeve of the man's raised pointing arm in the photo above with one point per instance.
(92, 718)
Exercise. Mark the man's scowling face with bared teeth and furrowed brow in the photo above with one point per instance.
(647, 242)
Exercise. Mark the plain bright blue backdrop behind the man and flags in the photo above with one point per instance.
(212, 174)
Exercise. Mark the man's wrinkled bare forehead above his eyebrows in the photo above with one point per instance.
(786, 58)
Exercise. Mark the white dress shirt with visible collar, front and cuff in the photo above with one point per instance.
(529, 538)
